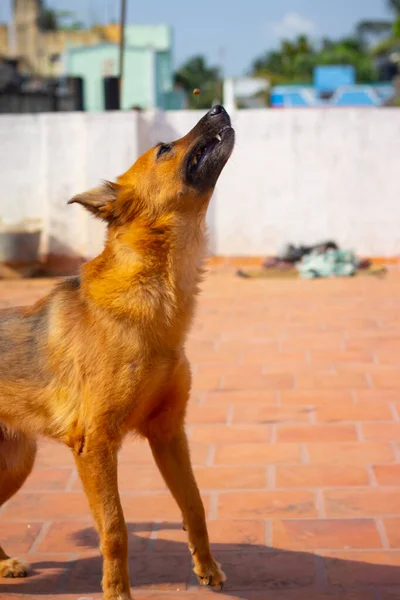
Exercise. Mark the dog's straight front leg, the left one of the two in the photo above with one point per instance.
(97, 466)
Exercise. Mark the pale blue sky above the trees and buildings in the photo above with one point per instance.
(230, 33)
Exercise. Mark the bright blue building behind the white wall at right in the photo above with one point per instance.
(333, 86)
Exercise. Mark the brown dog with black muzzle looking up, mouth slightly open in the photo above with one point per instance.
(103, 353)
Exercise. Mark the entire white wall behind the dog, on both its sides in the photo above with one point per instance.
(295, 176)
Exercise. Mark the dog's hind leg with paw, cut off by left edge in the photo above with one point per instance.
(17, 456)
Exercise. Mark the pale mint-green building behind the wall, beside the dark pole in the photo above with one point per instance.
(148, 69)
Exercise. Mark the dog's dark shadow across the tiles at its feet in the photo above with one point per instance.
(156, 562)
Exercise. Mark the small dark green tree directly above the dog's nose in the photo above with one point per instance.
(195, 73)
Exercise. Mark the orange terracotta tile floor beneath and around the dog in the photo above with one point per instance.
(294, 427)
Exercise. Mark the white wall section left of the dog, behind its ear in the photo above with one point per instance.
(46, 159)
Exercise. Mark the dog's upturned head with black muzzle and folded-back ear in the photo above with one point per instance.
(171, 177)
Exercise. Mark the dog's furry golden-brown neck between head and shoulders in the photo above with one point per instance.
(149, 273)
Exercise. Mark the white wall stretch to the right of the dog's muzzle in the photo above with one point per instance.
(307, 175)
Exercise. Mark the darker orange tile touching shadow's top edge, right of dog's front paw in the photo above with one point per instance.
(323, 534)
